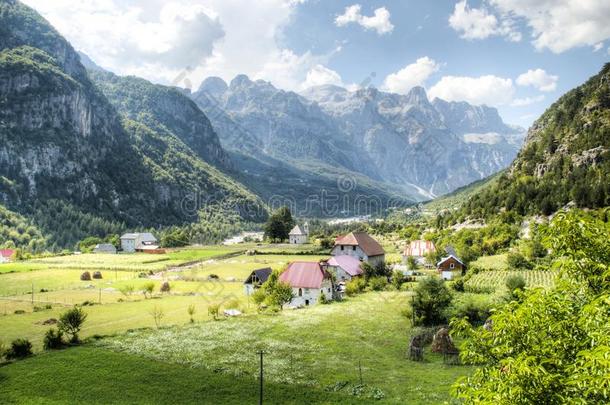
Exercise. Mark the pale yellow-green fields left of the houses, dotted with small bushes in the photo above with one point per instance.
(33, 293)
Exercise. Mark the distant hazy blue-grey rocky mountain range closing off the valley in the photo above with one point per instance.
(421, 148)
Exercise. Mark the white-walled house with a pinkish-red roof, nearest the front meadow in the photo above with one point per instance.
(308, 281)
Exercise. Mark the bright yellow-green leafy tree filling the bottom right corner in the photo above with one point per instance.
(551, 346)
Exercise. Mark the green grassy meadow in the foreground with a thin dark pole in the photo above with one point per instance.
(308, 352)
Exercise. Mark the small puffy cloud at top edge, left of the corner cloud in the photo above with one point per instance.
(479, 23)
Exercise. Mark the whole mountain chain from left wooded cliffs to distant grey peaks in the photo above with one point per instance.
(86, 152)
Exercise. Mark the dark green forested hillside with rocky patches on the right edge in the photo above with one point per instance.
(566, 157)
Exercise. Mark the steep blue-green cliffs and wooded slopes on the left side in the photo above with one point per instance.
(63, 141)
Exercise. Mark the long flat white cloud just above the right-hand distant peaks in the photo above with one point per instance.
(490, 90)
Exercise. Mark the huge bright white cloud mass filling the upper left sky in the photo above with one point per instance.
(159, 40)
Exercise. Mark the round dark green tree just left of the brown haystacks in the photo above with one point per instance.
(432, 297)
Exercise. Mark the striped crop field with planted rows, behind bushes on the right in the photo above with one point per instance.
(495, 280)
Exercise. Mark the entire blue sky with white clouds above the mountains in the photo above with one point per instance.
(516, 55)
